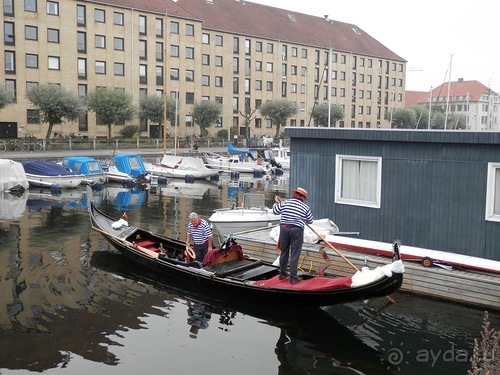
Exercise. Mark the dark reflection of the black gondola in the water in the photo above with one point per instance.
(307, 339)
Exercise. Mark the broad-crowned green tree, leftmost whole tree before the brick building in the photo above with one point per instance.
(55, 104)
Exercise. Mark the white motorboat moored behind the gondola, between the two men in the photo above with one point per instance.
(253, 214)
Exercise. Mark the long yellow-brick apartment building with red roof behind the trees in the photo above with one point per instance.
(202, 50)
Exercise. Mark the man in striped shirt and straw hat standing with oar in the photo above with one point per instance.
(294, 214)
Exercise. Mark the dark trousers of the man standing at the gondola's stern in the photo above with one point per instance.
(291, 240)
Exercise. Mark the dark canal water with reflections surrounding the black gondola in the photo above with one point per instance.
(71, 304)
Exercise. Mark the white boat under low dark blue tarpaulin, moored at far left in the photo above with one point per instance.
(48, 174)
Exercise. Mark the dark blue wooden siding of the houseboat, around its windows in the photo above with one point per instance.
(433, 185)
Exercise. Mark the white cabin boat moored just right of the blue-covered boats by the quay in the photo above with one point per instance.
(180, 167)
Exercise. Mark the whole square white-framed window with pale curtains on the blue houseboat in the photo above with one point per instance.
(358, 180)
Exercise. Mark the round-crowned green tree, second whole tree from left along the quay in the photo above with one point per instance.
(111, 106)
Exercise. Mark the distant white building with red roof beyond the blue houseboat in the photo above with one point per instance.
(471, 105)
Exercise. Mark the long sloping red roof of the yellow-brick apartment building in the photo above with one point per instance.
(245, 18)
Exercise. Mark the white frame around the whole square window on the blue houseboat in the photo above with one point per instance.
(375, 187)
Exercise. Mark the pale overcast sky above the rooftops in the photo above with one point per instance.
(441, 40)
